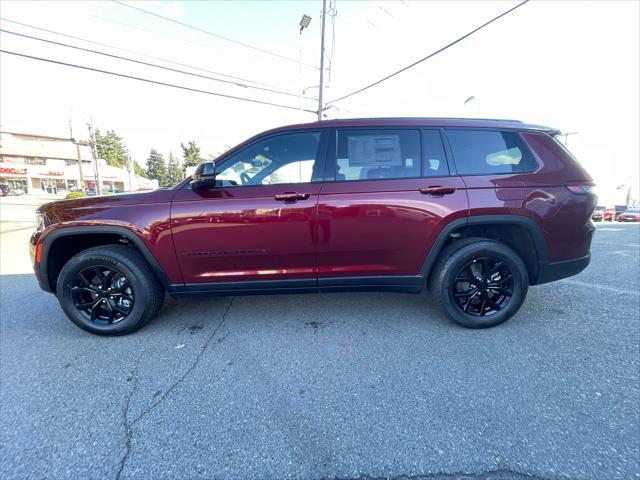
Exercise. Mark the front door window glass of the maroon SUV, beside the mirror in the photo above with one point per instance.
(288, 158)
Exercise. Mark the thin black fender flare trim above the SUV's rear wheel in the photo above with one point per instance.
(520, 220)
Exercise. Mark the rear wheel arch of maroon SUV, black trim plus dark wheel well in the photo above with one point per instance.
(517, 231)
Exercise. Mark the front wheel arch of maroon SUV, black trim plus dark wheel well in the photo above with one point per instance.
(61, 244)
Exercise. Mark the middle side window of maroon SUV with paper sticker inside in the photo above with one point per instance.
(372, 154)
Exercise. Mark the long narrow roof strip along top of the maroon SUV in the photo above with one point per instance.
(423, 122)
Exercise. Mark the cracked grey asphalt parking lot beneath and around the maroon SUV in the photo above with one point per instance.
(330, 386)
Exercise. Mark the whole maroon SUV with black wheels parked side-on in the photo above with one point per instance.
(475, 210)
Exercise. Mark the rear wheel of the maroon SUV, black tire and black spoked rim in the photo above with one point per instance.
(452, 294)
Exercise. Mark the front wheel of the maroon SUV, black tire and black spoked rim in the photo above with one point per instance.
(86, 278)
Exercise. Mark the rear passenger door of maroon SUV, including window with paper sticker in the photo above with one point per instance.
(387, 194)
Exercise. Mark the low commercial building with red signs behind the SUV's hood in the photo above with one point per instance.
(38, 163)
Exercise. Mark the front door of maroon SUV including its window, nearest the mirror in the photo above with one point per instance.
(258, 223)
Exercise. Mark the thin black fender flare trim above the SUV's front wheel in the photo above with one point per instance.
(51, 237)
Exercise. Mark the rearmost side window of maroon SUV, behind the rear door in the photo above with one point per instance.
(486, 152)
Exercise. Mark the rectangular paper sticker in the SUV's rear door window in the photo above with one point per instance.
(374, 150)
